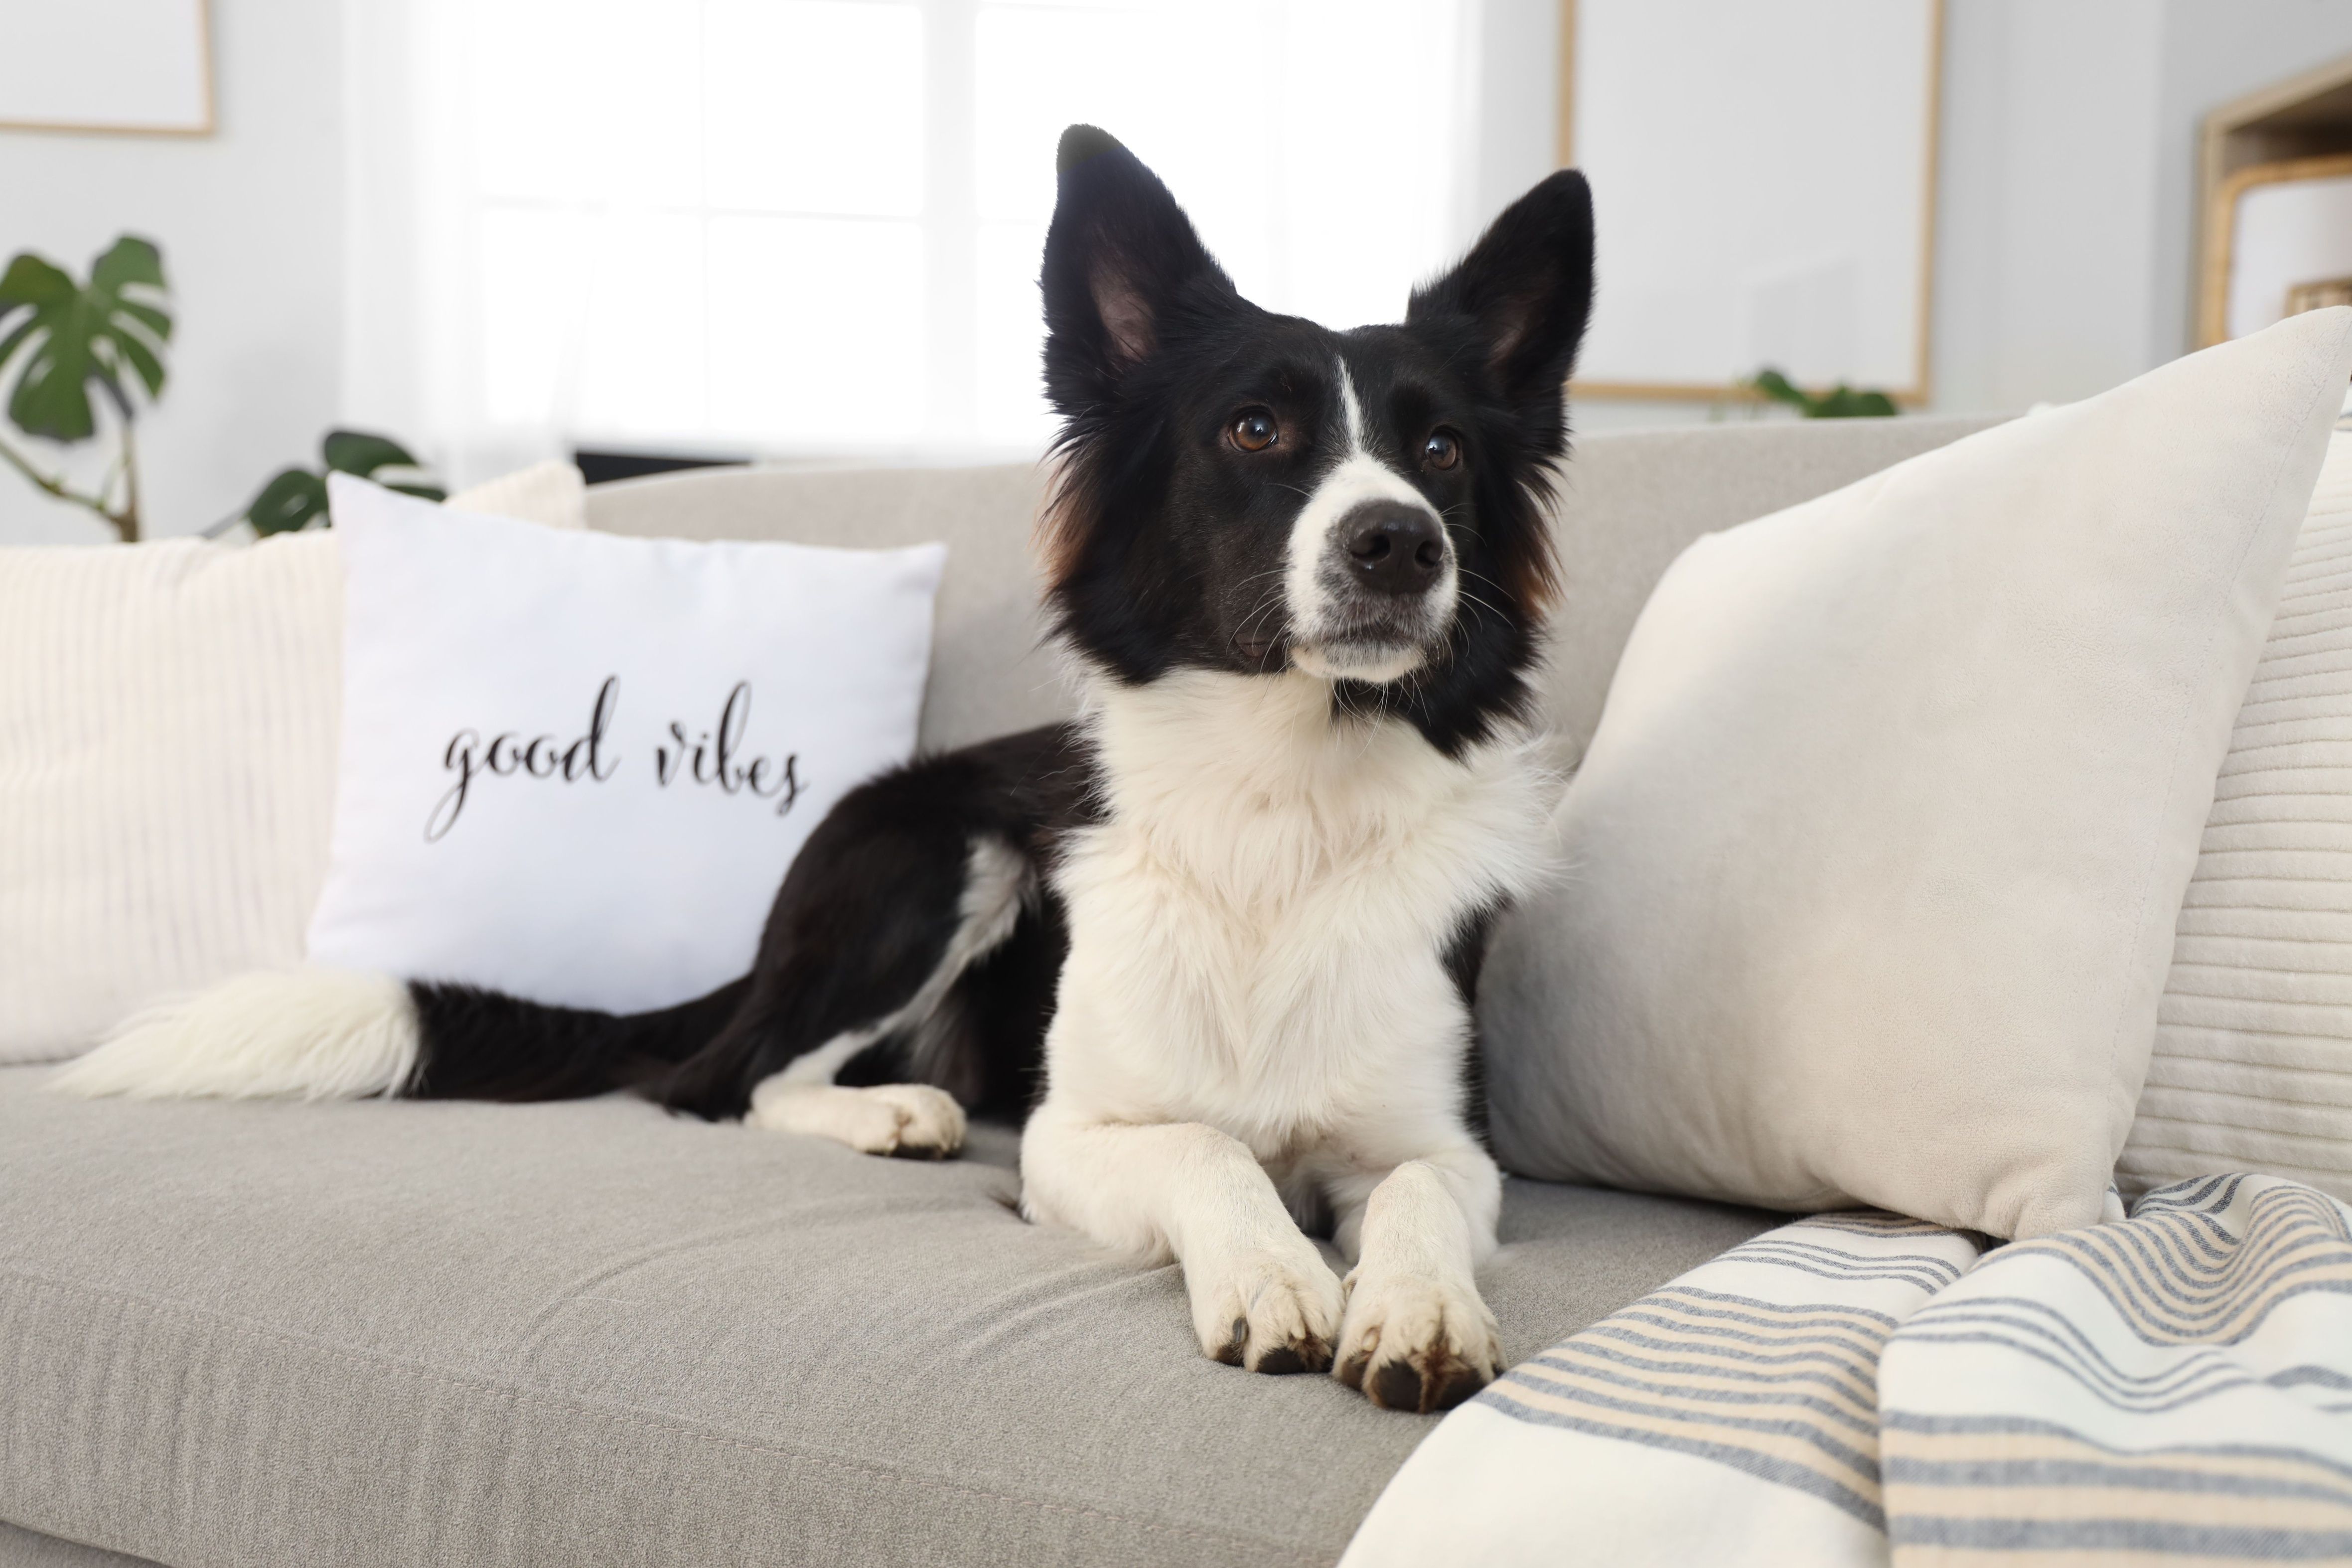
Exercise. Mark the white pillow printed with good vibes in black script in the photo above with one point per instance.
(575, 768)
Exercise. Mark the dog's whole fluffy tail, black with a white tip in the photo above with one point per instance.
(340, 1036)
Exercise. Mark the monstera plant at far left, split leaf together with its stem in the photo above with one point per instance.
(74, 344)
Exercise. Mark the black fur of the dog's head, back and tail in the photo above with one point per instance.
(1161, 544)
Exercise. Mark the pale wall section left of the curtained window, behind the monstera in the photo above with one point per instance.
(250, 232)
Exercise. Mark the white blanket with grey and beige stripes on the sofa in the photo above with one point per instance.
(2170, 1388)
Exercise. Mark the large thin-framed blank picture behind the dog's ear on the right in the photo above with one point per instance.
(1833, 269)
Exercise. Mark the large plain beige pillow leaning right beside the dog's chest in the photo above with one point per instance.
(1876, 857)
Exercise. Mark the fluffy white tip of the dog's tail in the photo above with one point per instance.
(307, 1033)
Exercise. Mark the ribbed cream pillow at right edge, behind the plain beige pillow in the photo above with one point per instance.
(2254, 1036)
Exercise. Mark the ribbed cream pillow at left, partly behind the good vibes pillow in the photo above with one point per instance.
(168, 744)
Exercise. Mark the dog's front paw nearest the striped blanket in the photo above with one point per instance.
(1415, 1343)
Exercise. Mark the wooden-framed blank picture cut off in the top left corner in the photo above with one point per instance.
(140, 67)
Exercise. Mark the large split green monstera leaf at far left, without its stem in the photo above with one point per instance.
(102, 335)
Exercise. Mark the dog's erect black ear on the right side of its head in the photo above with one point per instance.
(1525, 288)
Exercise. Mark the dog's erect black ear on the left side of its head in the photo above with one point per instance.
(1123, 269)
